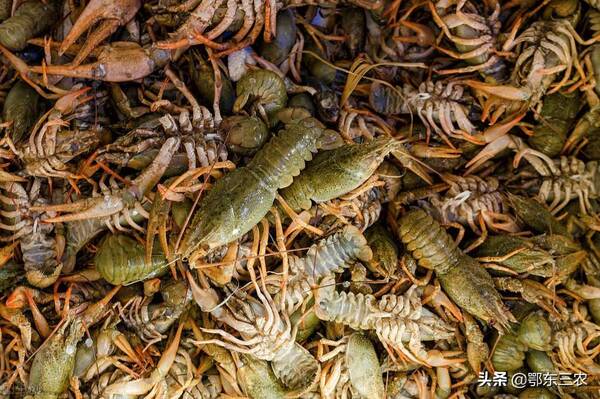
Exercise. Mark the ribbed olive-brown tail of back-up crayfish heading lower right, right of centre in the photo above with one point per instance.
(428, 242)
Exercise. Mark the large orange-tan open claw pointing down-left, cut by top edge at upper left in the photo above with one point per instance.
(113, 12)
